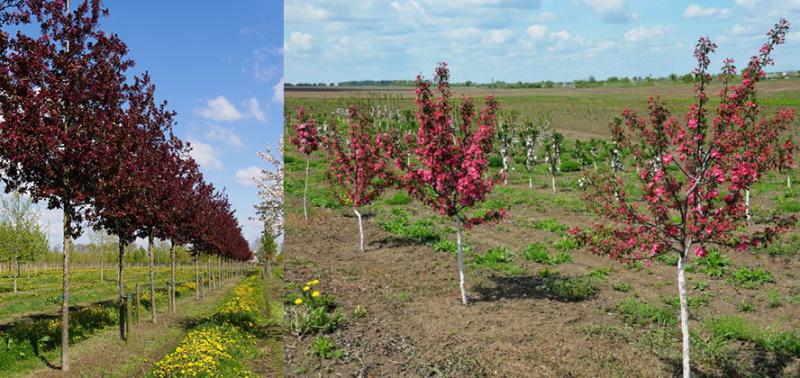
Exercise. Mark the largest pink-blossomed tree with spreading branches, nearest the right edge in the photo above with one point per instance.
(695, 183)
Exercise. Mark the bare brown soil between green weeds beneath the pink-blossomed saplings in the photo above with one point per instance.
(416, 325)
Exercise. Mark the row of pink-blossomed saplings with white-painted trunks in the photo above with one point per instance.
(693, 185)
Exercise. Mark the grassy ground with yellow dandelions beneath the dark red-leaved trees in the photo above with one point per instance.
(237, 304)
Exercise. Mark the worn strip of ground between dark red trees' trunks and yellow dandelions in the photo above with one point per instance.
(105, 355)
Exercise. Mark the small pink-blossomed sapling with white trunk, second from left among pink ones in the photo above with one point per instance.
(359, 169)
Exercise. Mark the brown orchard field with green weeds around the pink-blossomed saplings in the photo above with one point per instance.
(541, 304)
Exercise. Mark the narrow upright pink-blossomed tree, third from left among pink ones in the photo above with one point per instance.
(449, 169)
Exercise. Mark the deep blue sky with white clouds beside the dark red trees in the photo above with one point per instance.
(220, 67)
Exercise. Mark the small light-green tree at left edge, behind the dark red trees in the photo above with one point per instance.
(21, 237)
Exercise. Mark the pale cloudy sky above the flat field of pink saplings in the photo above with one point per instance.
(527, 40)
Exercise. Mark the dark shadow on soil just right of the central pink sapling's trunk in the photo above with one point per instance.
(555, 287)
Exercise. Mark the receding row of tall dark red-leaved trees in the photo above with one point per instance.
(78, 134)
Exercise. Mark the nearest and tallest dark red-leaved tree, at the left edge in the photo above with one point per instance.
(59, 96)
